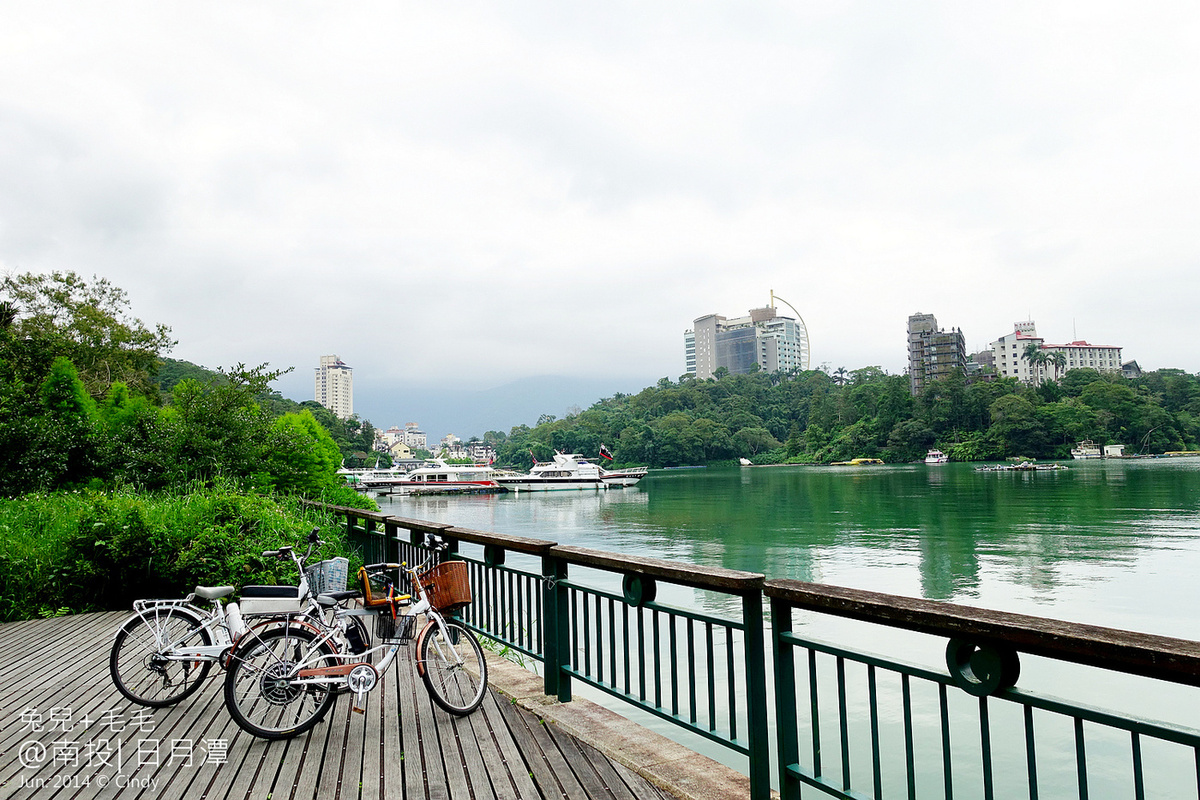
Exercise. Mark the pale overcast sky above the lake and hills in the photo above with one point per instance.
(458, 195)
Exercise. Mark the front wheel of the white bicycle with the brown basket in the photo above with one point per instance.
(455, 671)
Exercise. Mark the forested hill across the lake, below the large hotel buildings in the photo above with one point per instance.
(817, 418)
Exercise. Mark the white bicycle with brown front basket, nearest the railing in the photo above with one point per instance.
(281, 682)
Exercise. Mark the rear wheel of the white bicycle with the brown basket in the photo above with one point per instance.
(260, 693)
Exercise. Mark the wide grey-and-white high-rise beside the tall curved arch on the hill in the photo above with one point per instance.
(764, 338)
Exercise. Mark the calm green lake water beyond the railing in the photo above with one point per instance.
(1107, 543)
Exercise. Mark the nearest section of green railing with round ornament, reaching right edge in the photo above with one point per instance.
(964, 703)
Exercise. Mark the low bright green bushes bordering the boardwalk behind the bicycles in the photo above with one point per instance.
(91, 551)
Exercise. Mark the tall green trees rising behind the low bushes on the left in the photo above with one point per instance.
(81, 406)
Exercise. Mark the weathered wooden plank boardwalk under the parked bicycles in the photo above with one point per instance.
(92, 743)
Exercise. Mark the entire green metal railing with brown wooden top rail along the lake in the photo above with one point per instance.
(844, 723)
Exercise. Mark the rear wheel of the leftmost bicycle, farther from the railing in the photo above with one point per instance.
(139, 663)
